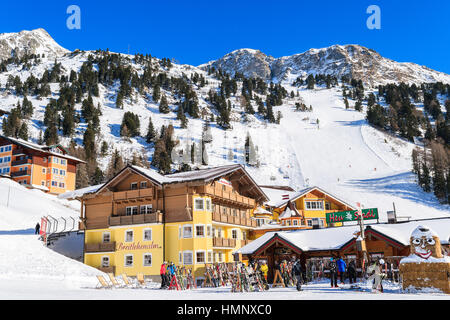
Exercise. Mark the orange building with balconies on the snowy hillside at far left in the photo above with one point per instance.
(48, 168)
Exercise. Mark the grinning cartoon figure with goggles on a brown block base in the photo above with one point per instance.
(426, 266)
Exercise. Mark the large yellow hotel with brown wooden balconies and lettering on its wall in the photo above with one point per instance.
(139, 219)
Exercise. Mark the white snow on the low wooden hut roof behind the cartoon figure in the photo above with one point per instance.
(335, 238)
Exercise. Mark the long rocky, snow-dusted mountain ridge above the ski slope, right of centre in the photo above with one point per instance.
(339, 60)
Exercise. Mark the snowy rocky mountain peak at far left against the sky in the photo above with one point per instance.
(36, 41)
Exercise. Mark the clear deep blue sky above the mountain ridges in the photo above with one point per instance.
(195, 32)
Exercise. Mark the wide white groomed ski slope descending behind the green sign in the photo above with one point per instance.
(349, 158)
